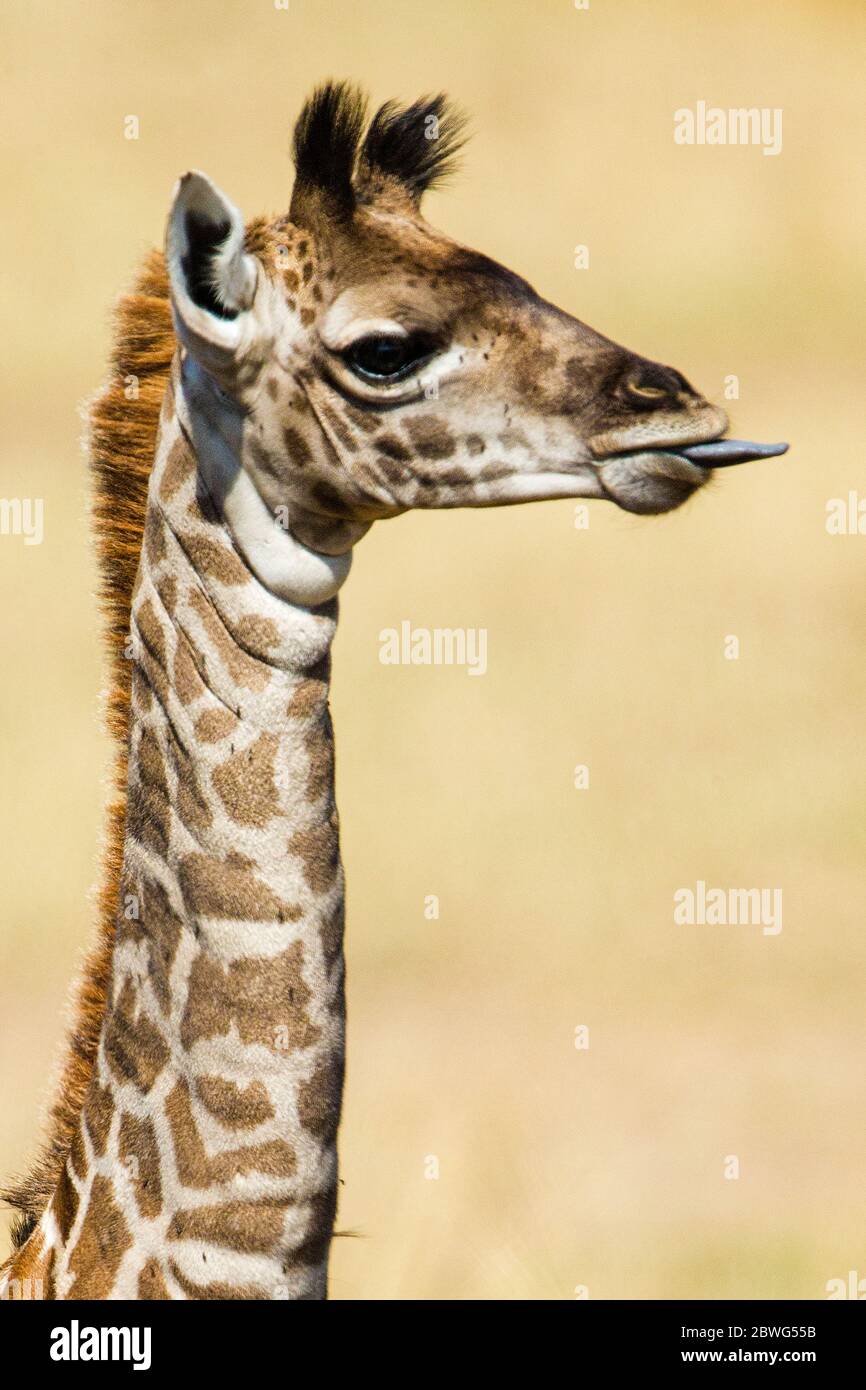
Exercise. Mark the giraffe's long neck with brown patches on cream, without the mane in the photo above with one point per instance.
(206, 1156)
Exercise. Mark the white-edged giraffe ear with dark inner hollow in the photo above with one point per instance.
(213, 280)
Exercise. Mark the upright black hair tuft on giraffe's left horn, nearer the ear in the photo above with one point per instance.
(327, 140)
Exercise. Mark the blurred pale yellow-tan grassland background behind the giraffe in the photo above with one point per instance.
(597, 1170)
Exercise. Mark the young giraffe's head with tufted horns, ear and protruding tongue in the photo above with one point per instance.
(375, 365)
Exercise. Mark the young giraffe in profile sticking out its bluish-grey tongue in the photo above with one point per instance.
(276, 390)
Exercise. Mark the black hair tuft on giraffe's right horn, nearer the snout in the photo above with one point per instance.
(416, 144)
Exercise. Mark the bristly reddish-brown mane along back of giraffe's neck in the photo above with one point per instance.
(124, 423)
